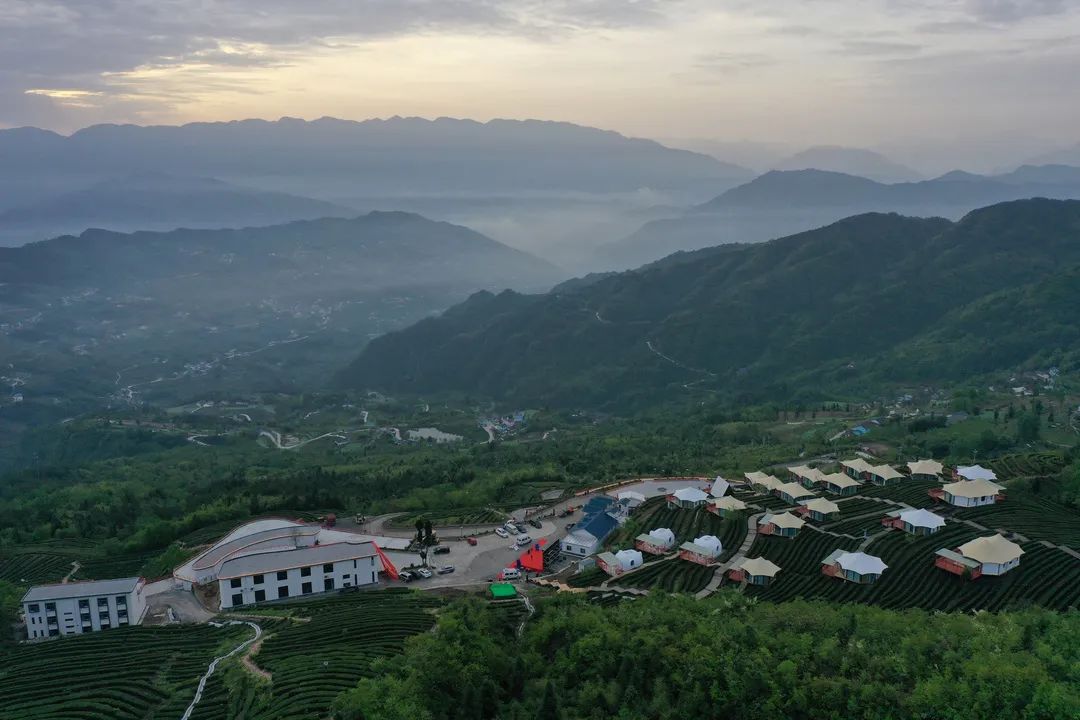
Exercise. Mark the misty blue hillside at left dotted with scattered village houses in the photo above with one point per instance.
(119, 319)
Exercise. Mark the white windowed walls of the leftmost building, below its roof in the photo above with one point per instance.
(67, 617)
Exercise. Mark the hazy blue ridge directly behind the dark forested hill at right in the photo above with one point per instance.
(786, 202)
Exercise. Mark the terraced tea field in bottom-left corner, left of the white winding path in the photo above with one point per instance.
(126, 673)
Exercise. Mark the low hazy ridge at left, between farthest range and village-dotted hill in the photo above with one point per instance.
(158, 201)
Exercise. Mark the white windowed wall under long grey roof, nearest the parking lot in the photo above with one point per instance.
(345, 574)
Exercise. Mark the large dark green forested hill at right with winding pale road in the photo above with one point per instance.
(873, 296)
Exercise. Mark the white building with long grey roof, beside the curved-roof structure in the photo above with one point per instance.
(277, 576)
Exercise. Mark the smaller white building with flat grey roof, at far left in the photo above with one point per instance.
(78, 608)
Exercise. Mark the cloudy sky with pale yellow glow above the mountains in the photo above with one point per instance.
(904, 76)
